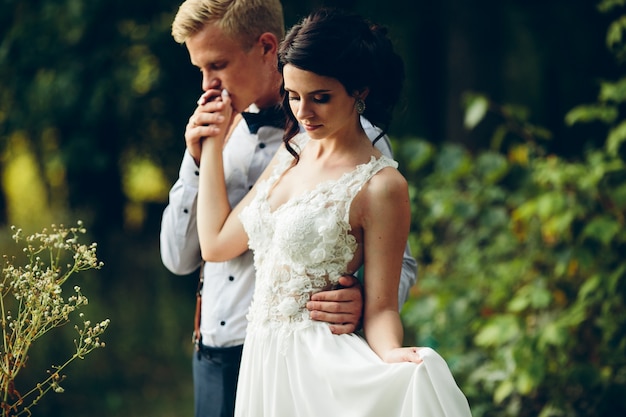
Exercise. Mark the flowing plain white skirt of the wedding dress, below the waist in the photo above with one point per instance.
(313, 373)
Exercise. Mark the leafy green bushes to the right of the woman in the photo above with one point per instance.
(522, 269)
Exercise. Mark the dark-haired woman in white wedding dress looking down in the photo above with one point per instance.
(328, 204)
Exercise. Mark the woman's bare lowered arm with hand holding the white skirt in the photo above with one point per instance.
(385, 218)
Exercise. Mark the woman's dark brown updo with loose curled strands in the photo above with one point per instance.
(344, 46)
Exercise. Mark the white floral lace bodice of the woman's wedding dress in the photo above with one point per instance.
(302, 247)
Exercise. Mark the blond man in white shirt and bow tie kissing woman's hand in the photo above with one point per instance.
(234, 44)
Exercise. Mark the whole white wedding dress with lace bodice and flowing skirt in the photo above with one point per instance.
(293, 366)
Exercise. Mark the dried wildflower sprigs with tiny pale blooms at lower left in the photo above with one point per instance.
(35, 294)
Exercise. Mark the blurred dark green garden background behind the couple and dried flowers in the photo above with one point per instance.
(520, 294)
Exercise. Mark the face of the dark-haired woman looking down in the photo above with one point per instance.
(320, 104)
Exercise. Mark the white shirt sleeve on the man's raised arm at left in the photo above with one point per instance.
(179, 241)
